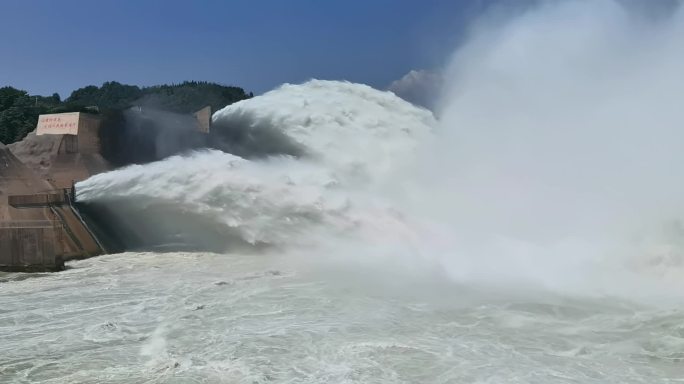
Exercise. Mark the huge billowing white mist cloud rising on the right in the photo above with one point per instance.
(560, 143)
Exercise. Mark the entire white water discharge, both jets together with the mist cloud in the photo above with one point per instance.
(553, 163)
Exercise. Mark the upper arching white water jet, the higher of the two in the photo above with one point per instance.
(352, 128)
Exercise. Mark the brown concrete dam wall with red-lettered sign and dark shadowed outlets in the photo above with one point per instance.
(41, 225)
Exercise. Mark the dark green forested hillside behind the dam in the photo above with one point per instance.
(19, 111)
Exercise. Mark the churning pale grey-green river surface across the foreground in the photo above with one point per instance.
(210, 318)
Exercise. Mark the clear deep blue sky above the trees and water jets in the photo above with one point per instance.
(57, 46)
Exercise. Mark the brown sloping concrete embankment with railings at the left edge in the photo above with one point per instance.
(39, 228)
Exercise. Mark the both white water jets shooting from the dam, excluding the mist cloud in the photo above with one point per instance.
(354, 139)
